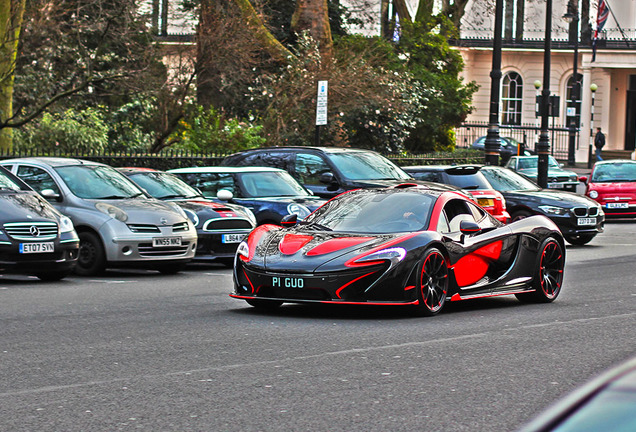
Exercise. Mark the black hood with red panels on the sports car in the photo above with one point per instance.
(305, 251)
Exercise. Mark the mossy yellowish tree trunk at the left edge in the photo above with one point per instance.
(11, 13)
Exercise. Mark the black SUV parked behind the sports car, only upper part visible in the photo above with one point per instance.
(326, 171)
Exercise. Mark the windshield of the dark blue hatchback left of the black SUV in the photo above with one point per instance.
(270, 184)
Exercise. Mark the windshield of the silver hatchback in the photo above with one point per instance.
(97, 182)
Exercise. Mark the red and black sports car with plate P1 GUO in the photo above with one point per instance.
(407, 245)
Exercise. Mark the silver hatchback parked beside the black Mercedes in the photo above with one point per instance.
(117, 223)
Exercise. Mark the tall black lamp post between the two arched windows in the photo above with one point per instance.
(543, 146)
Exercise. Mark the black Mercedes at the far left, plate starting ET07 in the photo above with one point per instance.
(35, 239)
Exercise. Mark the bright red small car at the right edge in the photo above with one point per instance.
(612, 184)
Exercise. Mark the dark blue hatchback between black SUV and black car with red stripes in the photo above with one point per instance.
(270, 193)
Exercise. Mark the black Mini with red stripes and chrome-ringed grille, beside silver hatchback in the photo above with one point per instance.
(220, 226)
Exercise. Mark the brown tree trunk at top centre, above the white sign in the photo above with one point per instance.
(313, 15)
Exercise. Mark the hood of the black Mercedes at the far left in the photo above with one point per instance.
(25, 205)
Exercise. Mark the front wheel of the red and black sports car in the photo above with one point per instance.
(432, 284)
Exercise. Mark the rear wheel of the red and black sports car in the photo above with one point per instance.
(548, 277)
